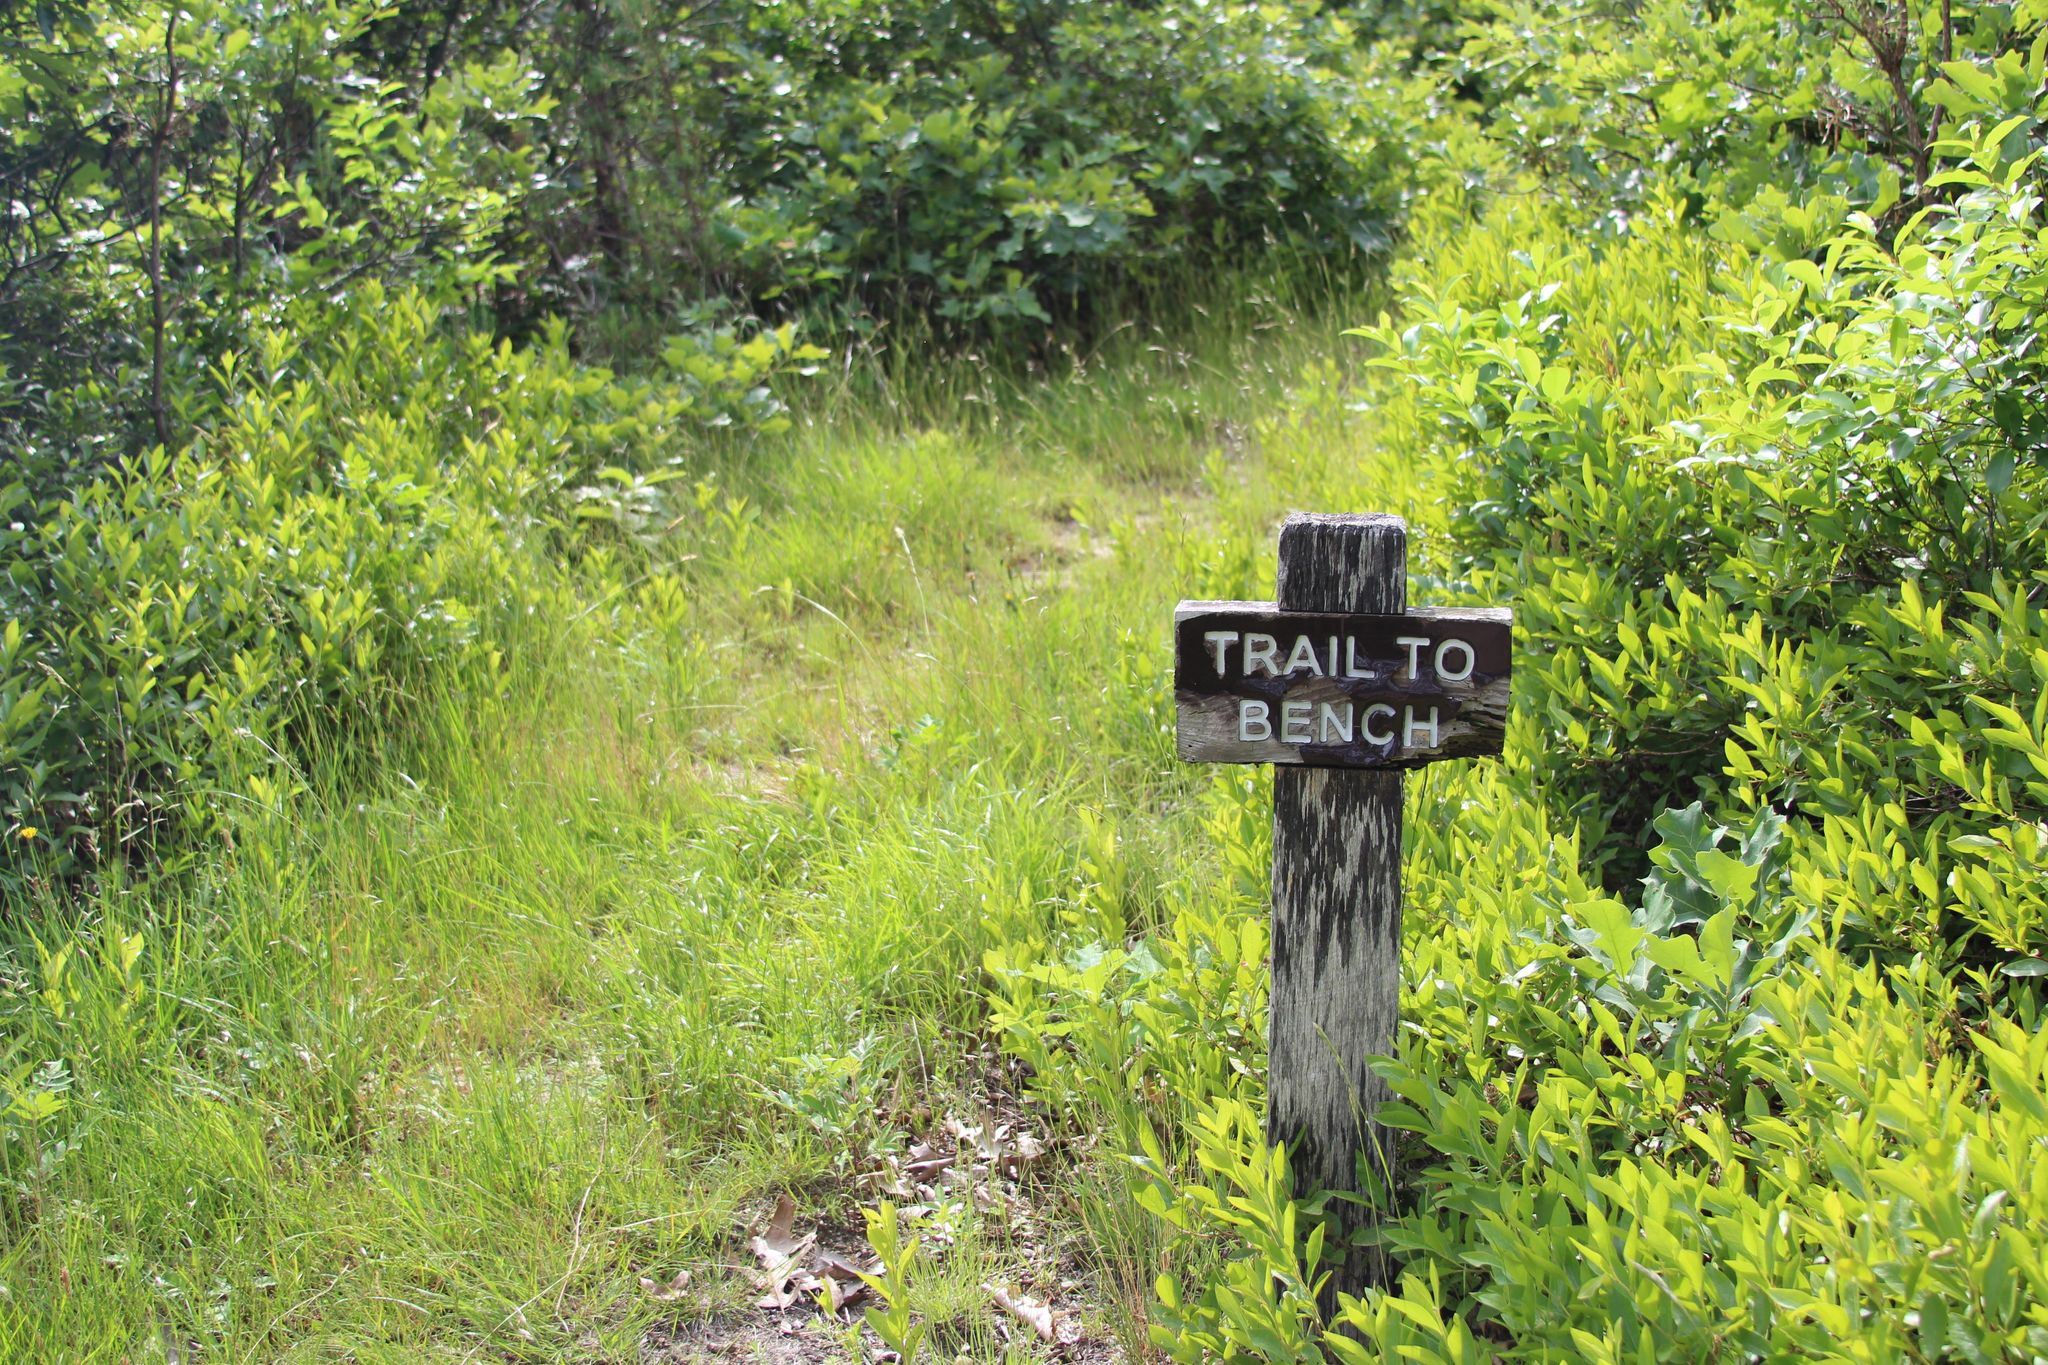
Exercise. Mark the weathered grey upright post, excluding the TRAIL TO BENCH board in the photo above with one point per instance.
(1336, 904)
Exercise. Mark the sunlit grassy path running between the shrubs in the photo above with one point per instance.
(558, 985)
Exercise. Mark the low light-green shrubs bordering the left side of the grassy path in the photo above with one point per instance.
(372, 498)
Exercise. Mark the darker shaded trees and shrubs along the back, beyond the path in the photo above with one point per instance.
(183, 177)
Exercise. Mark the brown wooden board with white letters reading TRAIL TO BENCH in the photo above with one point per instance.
(1254, 685)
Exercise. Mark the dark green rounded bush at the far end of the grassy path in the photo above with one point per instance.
(984, 165)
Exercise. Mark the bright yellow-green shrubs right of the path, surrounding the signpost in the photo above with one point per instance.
(1721, 1014)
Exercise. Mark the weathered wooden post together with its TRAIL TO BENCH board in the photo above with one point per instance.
(1342, 687)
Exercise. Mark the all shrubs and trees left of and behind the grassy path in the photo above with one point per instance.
(214, 208)
